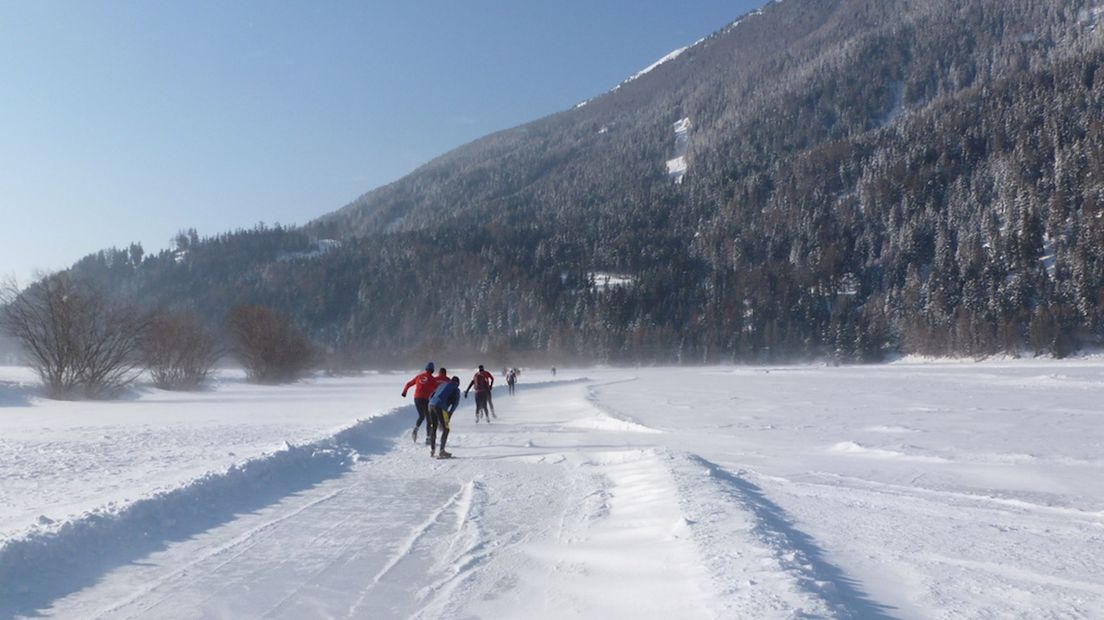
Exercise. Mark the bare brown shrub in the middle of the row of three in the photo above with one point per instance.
(178, 351)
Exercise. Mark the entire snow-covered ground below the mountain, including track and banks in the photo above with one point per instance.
(910, 490)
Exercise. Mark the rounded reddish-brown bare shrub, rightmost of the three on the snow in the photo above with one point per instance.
(267, 344)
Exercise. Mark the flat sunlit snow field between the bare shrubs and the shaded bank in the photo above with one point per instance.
(63, 459)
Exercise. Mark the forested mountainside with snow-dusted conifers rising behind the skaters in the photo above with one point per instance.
(820, 178)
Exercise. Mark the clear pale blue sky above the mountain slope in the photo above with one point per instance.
(130, 121)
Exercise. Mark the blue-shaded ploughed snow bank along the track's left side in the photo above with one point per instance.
(58, 558)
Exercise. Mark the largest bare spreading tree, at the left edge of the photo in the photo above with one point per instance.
(81, 345)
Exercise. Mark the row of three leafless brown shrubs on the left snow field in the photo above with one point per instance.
(86, 345)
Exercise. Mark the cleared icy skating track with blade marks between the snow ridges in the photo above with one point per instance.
(556, 510)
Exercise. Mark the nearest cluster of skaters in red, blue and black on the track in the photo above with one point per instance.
(437, 398)
